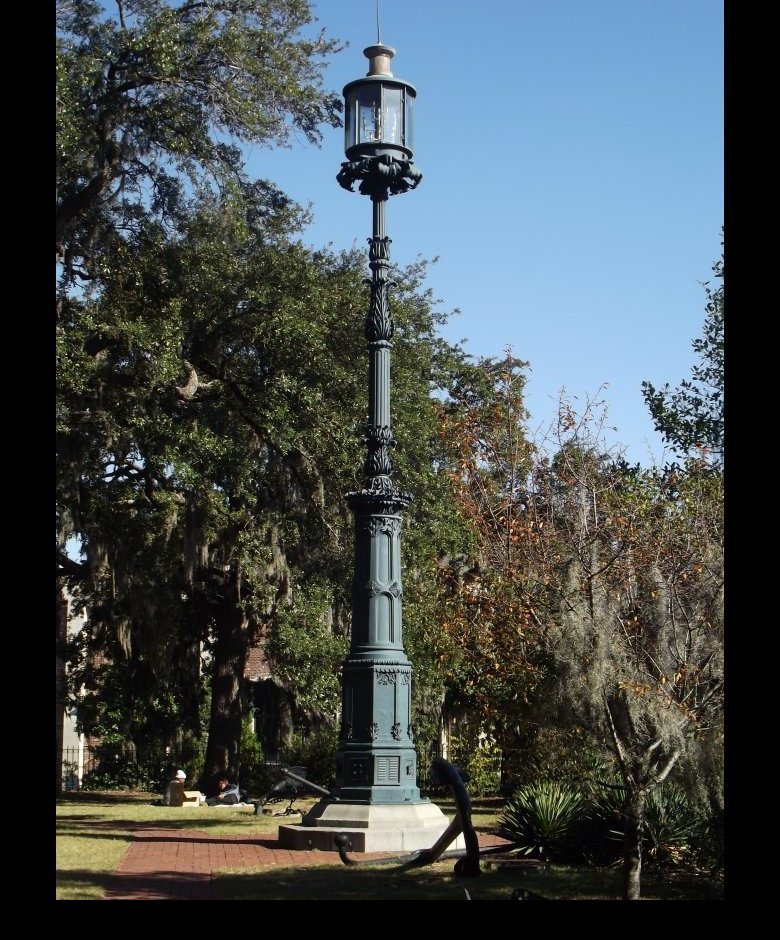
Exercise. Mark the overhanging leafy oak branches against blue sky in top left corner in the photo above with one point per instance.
(153, 98)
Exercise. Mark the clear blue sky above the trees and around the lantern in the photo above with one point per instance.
(572, 160)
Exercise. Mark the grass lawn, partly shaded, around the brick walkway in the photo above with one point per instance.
(93, 835)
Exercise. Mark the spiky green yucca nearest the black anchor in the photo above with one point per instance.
(542, 818)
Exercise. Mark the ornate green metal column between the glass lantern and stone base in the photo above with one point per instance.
(376, 761)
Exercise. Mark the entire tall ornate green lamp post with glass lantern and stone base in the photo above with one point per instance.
(375, 797)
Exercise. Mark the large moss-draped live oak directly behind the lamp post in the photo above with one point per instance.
(225, 497)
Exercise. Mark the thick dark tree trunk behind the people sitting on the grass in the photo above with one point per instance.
(229, 661)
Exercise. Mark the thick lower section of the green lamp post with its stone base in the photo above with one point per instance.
(375, 800)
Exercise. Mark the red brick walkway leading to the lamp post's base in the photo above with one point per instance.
(177, 865)
